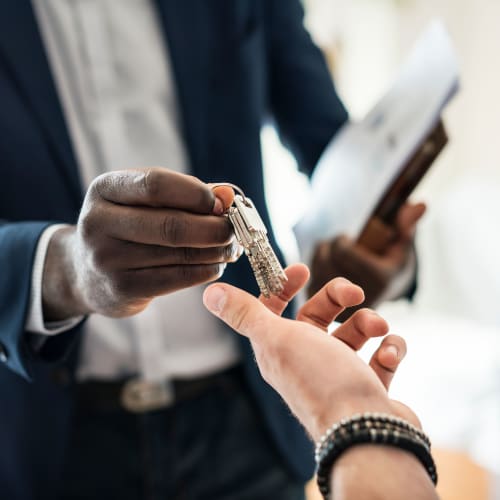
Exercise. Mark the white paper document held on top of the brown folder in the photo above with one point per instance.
(365, 157)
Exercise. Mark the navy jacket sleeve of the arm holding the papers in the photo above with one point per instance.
(303, 99)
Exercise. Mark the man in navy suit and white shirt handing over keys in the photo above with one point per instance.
(90, 88)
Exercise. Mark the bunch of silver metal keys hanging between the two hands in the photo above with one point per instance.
(251, 234)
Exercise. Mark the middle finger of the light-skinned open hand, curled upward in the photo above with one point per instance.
(324, 306)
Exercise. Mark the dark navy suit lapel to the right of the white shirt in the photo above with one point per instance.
(187, 30)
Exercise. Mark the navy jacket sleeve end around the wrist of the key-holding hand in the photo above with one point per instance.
(18, 243)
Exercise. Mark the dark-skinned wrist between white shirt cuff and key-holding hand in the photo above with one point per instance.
(61, 298)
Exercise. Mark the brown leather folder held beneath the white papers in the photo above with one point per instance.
(386, 210)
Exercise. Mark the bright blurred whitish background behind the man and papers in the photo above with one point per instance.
(451, 375)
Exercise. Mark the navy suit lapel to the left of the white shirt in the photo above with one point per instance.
(23, 56)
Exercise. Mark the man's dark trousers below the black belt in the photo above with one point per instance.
(213, 446)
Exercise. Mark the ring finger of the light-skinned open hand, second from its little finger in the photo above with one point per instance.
(360, 327)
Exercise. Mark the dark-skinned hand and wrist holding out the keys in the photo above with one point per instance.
(141, 233)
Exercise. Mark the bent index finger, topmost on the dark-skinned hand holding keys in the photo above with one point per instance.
(155, 187)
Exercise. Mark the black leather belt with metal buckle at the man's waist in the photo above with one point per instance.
(139, 396)
